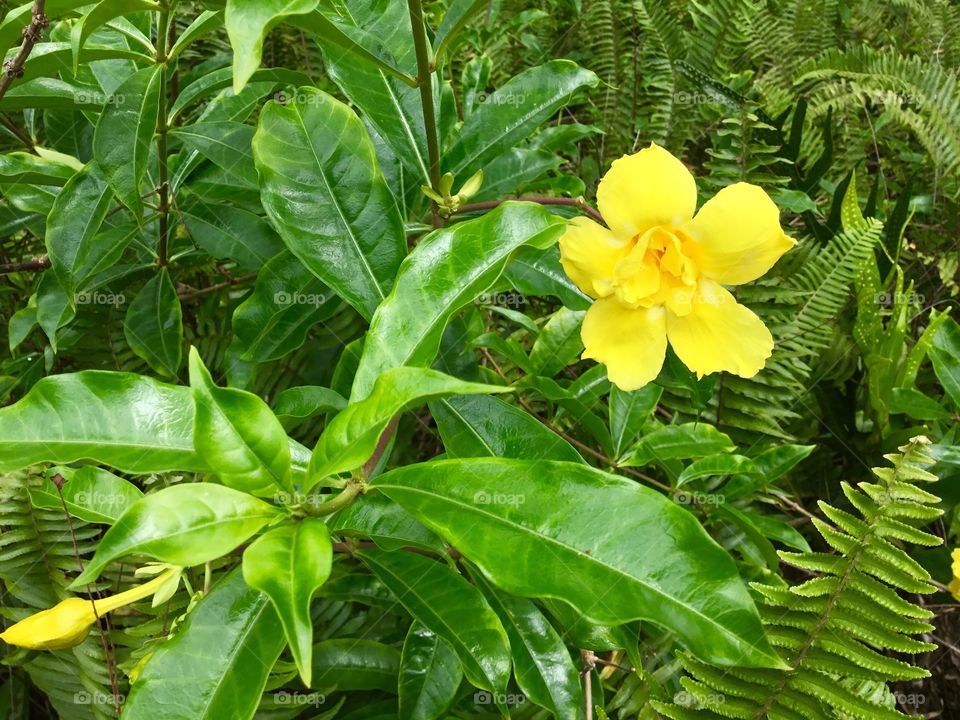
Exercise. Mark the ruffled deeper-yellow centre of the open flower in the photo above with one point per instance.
(657, 270)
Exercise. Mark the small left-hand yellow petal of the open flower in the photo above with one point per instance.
(588, 253)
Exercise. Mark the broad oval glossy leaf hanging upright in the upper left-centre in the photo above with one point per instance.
(324, 191)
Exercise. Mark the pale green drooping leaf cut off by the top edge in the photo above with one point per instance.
(248, 22)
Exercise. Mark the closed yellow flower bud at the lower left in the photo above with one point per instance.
(68, 622)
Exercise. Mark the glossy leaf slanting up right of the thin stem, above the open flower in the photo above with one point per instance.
(513, 112)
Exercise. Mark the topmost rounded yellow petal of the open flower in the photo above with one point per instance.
(645, 189)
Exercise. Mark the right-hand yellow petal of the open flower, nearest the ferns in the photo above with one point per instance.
(737, 235)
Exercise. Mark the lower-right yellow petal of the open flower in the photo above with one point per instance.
(719, 334)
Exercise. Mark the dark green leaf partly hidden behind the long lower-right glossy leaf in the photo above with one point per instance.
(482, 426)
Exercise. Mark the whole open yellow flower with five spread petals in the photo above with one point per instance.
(658, 272)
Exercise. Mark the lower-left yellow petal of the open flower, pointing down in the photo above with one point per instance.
(631, 343)
